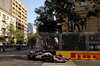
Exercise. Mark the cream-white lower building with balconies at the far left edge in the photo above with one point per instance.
(6, 20)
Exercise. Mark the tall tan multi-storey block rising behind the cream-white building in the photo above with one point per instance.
(19, 11)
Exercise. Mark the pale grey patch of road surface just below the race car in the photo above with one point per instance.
(68, 63)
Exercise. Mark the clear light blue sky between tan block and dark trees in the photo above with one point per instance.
(31, 5)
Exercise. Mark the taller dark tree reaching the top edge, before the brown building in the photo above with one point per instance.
(62, 9)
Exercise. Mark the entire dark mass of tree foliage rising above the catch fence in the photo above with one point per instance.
(60, 9)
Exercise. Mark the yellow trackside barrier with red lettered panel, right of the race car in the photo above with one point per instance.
(92, 55)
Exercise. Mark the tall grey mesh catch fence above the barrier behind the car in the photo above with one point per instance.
(70, 41)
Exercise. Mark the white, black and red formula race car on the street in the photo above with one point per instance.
(46, 56)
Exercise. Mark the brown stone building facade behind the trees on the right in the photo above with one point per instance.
(82, 8)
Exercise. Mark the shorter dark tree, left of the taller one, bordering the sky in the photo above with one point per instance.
(44, 22)
